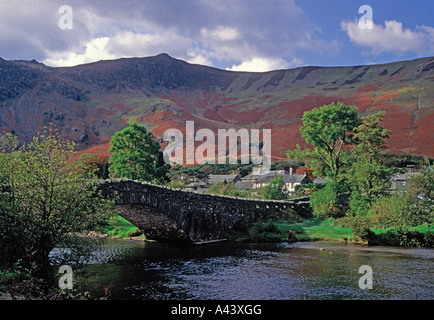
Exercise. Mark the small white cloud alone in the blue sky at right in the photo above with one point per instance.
(392, 37)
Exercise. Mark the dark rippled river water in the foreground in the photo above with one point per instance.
(234, 271)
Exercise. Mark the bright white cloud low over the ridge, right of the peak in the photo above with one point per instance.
(265, 64)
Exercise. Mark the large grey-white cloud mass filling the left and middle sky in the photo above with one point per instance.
(242, 34)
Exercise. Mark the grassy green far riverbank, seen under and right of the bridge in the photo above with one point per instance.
(311, 229)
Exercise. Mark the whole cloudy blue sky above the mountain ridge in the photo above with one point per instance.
(238, 35)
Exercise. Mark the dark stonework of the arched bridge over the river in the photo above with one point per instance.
(203, 217)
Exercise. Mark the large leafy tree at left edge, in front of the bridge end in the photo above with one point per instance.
(45, 200)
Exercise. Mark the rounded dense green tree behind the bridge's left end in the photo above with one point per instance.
(137, 155)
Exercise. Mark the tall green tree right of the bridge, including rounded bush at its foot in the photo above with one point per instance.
(330, 130)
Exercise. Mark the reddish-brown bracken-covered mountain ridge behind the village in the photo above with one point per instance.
(89, 103)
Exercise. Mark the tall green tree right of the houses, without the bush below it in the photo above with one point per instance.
(329, 129)
